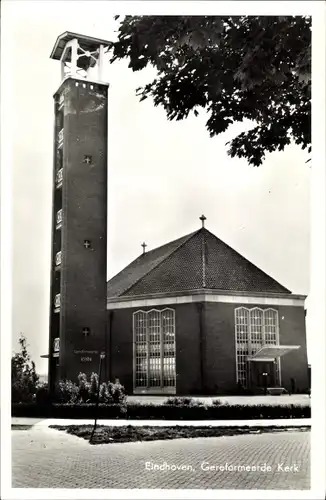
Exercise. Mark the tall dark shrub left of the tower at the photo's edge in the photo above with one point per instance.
(24, 379)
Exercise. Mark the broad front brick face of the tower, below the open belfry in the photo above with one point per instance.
(84, 204)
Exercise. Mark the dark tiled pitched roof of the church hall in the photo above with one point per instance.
(196, 261)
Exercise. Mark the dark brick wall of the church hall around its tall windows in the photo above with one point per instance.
(218, 347)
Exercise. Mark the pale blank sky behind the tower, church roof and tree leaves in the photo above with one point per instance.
(161, 175)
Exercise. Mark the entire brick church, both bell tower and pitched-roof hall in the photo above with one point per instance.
(190, 317)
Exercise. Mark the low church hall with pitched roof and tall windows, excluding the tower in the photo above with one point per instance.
(195, 317)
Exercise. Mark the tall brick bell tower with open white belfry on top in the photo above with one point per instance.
(79, 219)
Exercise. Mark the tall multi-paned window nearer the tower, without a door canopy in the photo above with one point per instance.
(154, 349)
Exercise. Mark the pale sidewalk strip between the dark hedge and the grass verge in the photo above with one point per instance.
(291, 422)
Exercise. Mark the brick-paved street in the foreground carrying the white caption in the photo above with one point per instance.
(46, 458)
